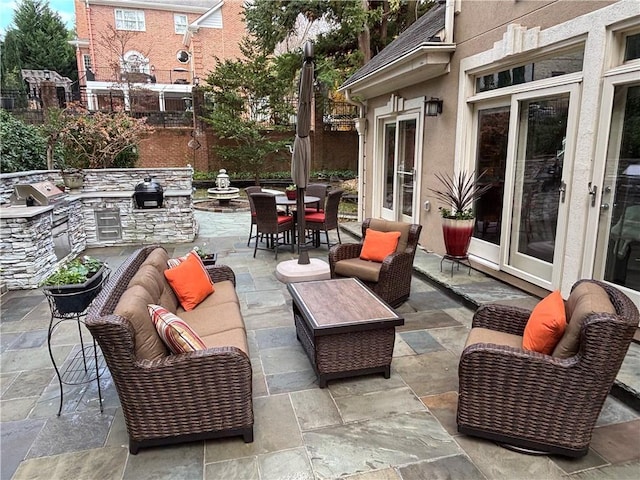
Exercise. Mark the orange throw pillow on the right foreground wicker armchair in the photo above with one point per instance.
(546, 325)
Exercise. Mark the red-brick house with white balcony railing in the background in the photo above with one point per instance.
(152, 52)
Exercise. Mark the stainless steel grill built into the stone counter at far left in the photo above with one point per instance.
(43, 194)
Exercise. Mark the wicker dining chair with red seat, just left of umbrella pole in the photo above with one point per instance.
(271, 224)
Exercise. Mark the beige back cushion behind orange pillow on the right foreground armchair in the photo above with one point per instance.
(585, 299)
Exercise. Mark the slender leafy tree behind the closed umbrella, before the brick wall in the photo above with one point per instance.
(247, 95)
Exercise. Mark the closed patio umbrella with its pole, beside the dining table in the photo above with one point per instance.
(301, 157)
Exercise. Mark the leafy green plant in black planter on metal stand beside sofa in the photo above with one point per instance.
(75, 284)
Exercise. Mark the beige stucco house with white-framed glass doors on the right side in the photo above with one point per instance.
(542, 95)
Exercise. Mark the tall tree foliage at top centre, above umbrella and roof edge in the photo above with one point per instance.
(352, 31)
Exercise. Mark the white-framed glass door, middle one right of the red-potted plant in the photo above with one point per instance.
(539, 188)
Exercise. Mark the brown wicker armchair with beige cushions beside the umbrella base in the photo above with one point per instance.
(391, 279)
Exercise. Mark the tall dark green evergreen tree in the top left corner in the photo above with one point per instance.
(38, 40)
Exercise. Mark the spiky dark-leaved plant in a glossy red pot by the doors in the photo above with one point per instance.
(459, 191)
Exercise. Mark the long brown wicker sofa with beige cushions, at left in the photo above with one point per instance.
(169, 398)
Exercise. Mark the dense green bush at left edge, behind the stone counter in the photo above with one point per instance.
(22, 145)
